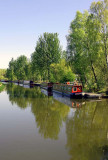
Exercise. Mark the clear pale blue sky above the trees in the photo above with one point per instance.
(23, 21)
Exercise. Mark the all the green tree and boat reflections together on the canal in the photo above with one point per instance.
(86, 122)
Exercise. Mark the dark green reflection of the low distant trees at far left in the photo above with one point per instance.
(22, 96)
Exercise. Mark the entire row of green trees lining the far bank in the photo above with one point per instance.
(86, 56)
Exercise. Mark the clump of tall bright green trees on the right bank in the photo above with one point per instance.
(87, 49)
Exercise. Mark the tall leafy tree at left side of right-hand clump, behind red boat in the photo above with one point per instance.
(76, 54)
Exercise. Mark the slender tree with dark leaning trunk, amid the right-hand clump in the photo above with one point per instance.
(93, 46)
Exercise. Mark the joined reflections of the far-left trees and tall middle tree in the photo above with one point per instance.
(49, 113)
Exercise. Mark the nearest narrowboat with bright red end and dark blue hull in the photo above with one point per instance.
(72, 90)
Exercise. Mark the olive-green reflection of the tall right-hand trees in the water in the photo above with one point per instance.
(87, 132)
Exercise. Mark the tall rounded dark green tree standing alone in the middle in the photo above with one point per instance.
(47, 51)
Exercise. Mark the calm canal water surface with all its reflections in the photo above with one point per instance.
(37, 125)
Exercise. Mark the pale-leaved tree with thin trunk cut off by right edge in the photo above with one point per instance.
(100, 12)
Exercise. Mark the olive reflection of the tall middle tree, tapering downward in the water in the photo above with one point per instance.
(49, 115)
